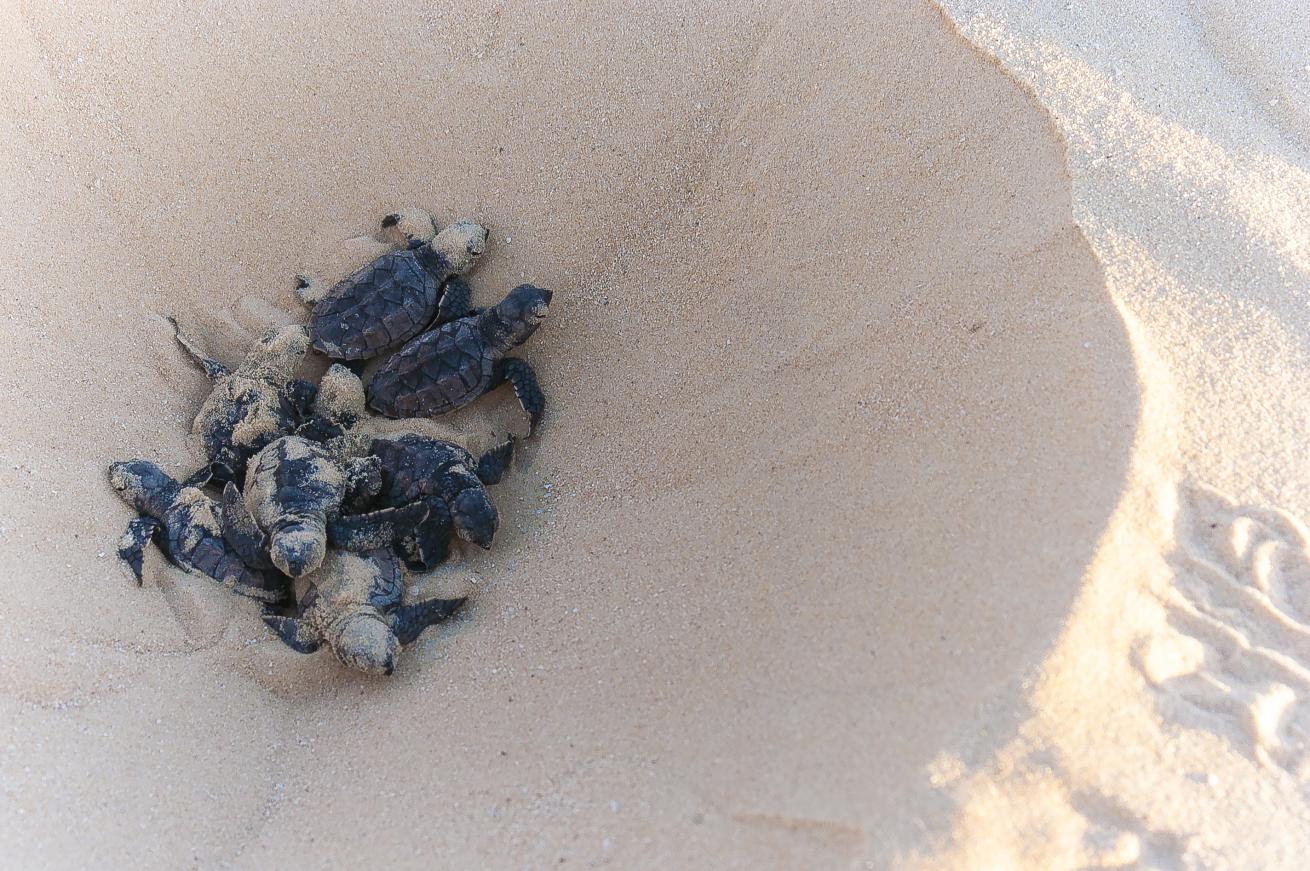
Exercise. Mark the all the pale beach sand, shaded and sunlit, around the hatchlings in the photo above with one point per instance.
(923, 470)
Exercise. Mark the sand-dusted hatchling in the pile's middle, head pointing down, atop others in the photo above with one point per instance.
(293, 508)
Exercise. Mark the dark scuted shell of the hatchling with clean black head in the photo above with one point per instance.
(438, 373)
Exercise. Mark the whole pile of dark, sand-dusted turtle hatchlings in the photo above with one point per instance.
(306, 491)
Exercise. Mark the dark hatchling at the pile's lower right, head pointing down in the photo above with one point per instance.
(447, 480)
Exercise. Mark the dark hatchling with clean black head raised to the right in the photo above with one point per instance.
(459, 362)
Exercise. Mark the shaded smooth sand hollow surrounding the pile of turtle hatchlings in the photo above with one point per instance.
(840, 408)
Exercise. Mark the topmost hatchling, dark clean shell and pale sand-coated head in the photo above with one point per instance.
(395, 298)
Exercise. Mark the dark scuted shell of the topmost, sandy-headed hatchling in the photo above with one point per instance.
(378, 308)
